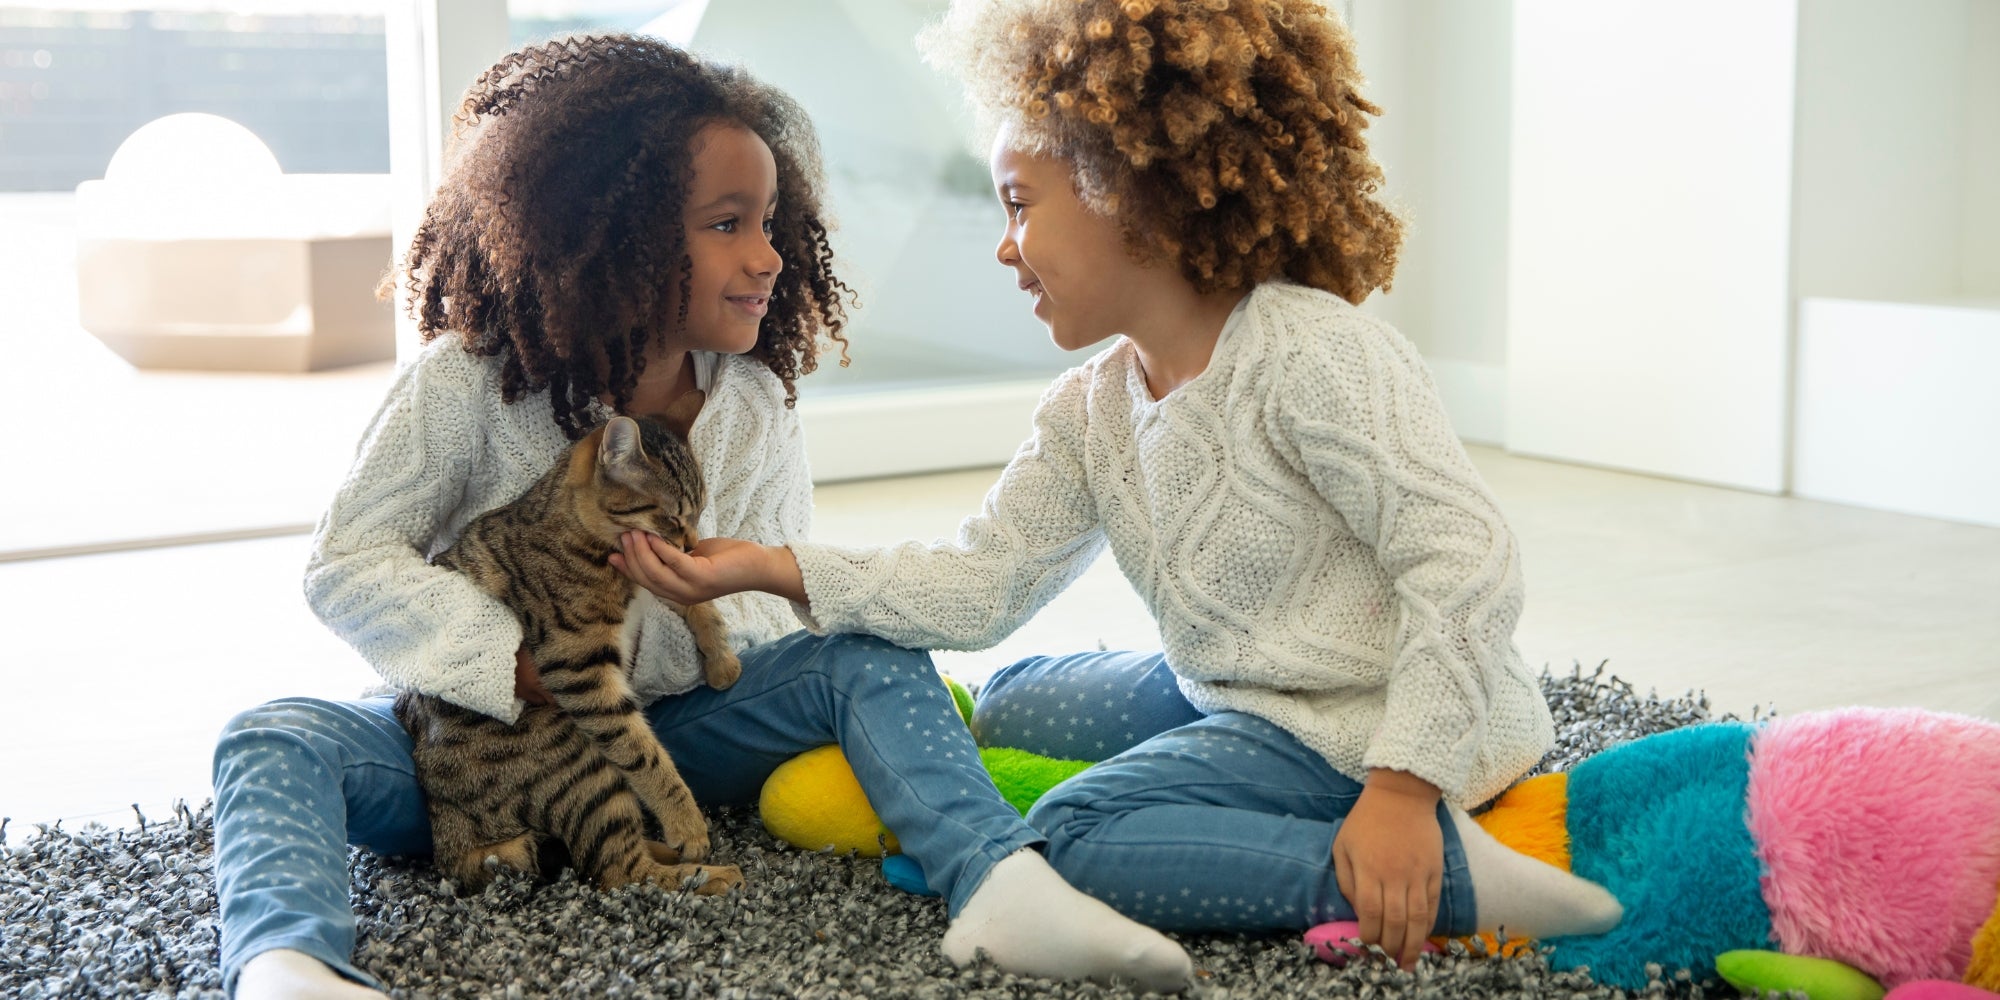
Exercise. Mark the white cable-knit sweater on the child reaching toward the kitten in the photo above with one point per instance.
(1301, 521)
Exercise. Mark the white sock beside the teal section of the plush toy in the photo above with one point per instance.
(1525, 897)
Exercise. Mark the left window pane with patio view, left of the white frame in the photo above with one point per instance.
(99, 451)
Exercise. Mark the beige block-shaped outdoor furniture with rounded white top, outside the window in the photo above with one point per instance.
(199, 253)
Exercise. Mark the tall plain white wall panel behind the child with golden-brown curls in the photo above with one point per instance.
(1649, 299)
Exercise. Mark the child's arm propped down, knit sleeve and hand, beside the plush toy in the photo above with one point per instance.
(1359, 417)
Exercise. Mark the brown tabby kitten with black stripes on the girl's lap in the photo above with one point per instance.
(583, 769)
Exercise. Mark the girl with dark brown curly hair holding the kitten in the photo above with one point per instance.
(623, 225)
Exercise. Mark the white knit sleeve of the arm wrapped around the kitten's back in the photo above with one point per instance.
(421, 627)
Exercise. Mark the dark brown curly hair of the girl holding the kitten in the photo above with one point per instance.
(557, 233)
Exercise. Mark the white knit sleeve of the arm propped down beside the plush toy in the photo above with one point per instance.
(1357, 413)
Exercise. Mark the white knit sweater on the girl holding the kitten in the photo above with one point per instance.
(447, 449)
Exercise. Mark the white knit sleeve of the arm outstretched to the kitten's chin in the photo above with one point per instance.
(1035, 535)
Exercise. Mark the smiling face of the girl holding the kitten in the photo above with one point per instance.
(731, 203)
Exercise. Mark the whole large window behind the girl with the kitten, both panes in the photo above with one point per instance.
(109, 451)
